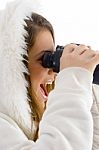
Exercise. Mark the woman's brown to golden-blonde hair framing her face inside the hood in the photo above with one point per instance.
(34, 25)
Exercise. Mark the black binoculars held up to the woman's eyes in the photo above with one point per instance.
(52, 60)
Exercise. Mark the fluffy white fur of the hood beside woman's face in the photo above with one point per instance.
(13, 92)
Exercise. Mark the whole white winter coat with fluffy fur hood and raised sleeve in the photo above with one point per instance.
(67, 123)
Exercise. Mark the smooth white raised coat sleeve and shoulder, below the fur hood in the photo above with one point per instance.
(67, 122)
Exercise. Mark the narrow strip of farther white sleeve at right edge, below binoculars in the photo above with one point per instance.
(95, 114)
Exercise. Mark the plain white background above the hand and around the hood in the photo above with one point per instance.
(74, 21)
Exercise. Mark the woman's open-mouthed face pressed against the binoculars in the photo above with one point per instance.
(39, 75)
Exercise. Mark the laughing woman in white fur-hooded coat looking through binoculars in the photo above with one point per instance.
(67, 122)
